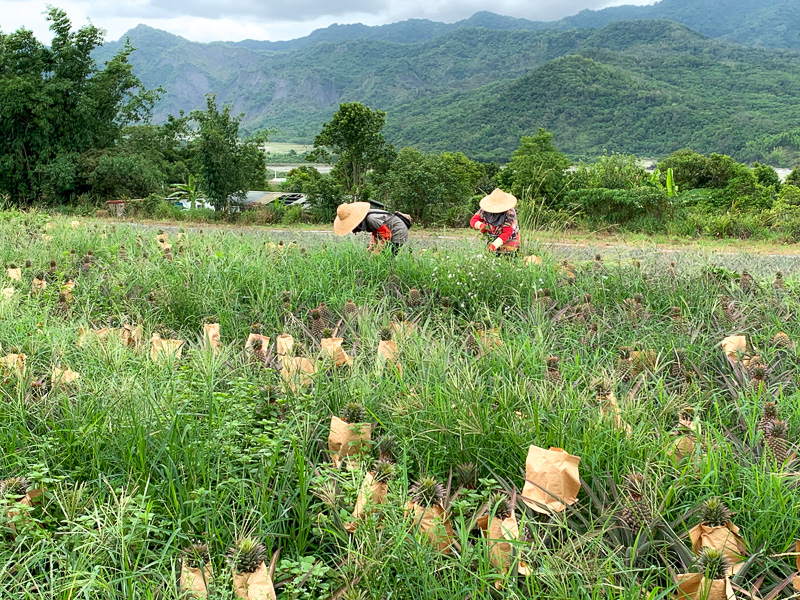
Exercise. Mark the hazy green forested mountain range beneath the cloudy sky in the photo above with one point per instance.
(611, 79)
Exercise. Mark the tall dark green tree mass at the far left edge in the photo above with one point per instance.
(56, 103)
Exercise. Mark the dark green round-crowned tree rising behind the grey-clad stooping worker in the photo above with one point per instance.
(353, 139)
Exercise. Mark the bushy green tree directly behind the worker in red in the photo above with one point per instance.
(538, 168)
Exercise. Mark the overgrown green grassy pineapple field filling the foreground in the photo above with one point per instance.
(140, 458)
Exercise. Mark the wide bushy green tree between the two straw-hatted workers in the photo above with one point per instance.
(425, 186)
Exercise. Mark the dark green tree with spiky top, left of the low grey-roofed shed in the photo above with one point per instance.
(228, 165)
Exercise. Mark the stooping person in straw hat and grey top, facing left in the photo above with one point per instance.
(387, 228)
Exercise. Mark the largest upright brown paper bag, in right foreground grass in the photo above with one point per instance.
(557, 472)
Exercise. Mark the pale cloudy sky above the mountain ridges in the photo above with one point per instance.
(210, 20)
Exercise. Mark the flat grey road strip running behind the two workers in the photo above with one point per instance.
(762, 260)
